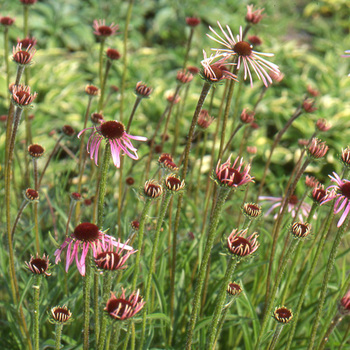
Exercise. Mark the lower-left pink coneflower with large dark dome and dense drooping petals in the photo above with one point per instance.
(85, 236)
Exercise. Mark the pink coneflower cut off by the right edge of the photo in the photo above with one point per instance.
(342, 193)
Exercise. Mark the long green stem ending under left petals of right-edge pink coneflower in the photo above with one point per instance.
(310, 275)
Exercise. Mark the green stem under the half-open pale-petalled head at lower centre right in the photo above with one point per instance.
(219, 303)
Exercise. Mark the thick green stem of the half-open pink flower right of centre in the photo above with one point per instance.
(222, 195)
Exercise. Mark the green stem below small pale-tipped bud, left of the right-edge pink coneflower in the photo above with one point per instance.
(271, 300)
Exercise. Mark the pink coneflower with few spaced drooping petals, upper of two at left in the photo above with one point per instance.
(113, 132)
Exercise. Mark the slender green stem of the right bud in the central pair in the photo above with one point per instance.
(152, 264)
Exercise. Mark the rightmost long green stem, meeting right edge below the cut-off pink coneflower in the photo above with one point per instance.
(327, 275)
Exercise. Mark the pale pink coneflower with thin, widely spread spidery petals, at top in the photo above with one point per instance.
(246, 55)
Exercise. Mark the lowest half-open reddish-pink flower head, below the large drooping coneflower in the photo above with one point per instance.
(123, 308)
